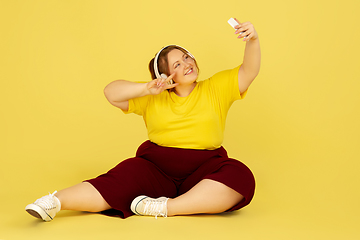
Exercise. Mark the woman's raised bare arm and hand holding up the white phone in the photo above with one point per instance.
(252, 55)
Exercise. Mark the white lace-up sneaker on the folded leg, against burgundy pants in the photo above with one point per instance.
(143, 205)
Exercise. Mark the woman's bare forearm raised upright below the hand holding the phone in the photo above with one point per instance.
(252, 58)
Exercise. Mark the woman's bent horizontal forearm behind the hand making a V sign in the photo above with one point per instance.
(121, 90)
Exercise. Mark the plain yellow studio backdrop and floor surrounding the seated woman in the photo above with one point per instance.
(297, 129)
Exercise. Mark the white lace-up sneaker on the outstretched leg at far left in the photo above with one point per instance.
(45, 208)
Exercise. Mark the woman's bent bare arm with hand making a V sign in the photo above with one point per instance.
(119, 92)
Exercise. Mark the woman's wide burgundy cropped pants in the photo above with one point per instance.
(164, 171)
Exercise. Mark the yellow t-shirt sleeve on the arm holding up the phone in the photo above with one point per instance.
(226, 84)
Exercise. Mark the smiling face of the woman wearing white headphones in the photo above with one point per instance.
(183, 66)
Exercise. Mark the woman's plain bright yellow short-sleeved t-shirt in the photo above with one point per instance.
(196, 121)
